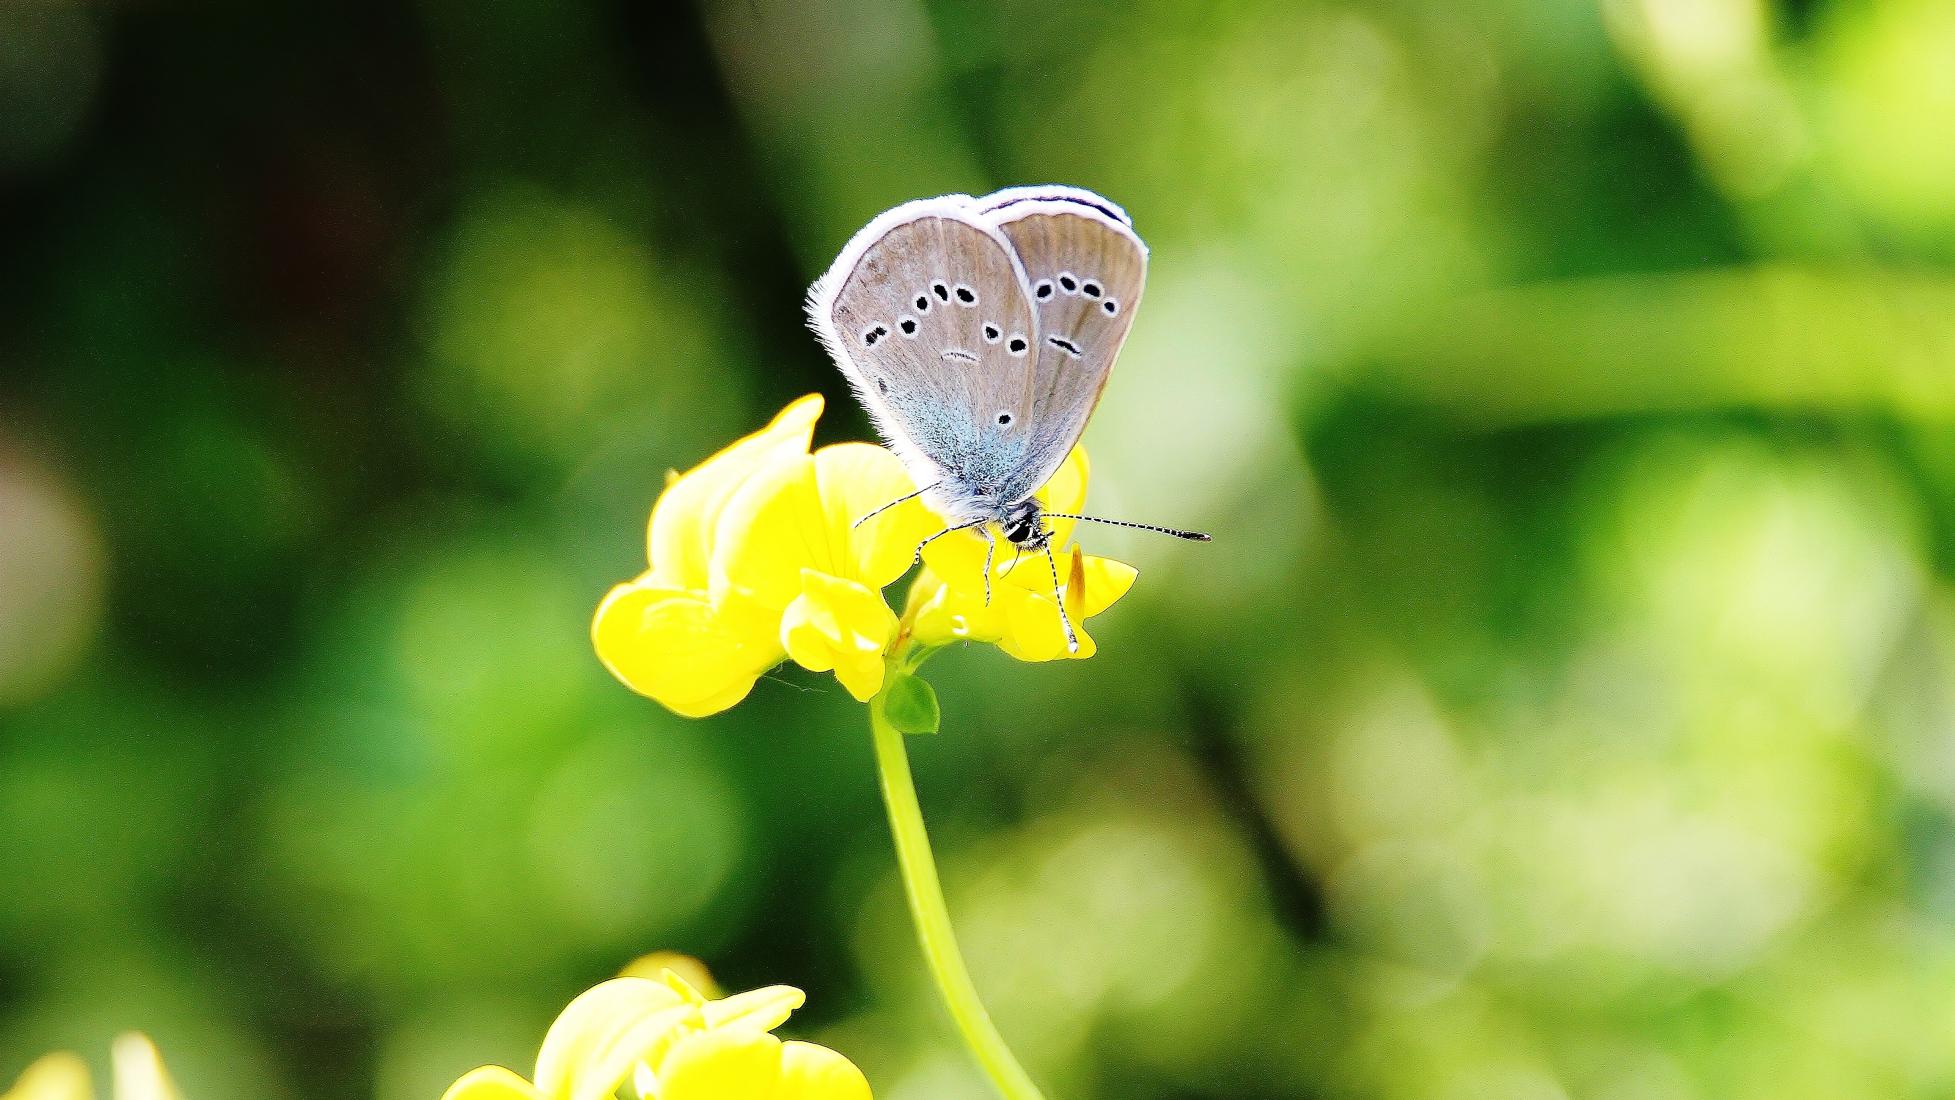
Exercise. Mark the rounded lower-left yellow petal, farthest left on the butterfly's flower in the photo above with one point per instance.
(677, 650)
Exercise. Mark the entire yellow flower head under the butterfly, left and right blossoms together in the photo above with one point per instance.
(758, 558)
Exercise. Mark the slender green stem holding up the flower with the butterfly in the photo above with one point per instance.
(928, 911)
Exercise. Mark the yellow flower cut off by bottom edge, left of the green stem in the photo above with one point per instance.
(673, 1044)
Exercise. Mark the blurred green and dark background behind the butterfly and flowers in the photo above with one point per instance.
(1563, 712)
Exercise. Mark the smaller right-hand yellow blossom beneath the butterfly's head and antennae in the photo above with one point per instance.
(949, 599)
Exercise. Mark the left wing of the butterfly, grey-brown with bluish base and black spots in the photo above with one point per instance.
(928, 316)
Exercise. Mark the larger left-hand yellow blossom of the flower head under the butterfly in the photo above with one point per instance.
(756, 560)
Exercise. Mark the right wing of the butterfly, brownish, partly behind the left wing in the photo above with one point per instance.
(1086, 271)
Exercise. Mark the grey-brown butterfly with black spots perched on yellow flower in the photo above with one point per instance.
(978, 333)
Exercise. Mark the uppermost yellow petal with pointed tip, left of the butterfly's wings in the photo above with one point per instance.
(687, 513)
